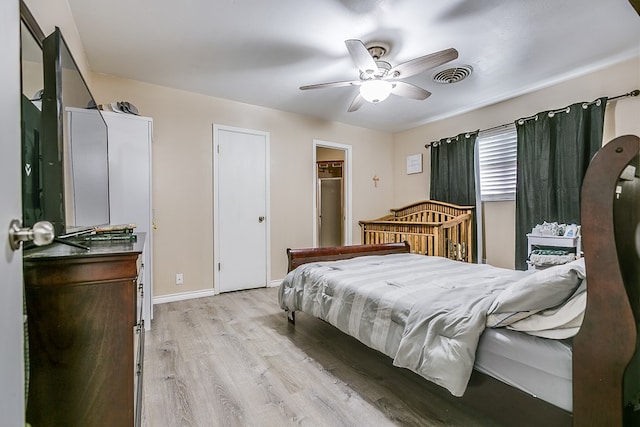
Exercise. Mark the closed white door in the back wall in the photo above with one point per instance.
(241, 208)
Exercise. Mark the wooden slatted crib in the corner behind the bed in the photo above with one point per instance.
(430, 227)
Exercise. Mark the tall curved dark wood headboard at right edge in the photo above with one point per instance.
(605, 351)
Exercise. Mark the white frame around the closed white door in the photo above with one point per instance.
(216, 218)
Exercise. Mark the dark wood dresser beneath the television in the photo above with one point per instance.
(86, 334)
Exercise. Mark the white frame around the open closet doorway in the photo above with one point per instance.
(347, 180)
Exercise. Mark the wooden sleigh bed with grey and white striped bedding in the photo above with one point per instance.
(592, 378)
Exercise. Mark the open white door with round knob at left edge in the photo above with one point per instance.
(11, 317)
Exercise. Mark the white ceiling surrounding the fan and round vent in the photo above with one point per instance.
(260, 51)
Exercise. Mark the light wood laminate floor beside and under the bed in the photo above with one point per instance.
(233, 360)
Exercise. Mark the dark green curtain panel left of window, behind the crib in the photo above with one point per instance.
(453, 176)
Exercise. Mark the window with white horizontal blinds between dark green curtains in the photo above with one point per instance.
(497, 163)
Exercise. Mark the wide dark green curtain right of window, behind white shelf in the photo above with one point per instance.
(554, 151)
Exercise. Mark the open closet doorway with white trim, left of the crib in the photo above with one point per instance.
(332, 194)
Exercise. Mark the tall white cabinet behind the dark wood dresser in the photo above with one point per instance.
(130, 182)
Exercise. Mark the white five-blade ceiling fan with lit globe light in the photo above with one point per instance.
(378, 79)
